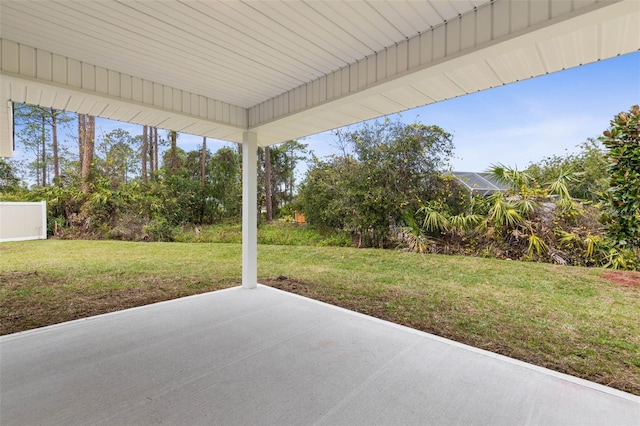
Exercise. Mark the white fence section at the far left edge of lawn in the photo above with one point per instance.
(23, 221)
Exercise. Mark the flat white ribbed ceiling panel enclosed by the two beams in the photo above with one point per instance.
(241, 53)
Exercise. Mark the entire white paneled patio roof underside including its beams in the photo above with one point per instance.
(287, 69)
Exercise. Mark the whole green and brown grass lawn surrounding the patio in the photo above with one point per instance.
(564, 318)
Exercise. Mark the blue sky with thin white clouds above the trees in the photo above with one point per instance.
(516, 124)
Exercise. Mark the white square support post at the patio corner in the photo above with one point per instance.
(249, 210)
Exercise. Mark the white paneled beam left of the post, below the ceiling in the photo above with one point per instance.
(30, 75)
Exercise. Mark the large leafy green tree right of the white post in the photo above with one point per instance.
(384, 169)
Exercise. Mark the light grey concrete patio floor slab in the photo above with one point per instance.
(264, 356)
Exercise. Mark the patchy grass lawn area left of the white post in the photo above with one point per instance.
(44, 283)
